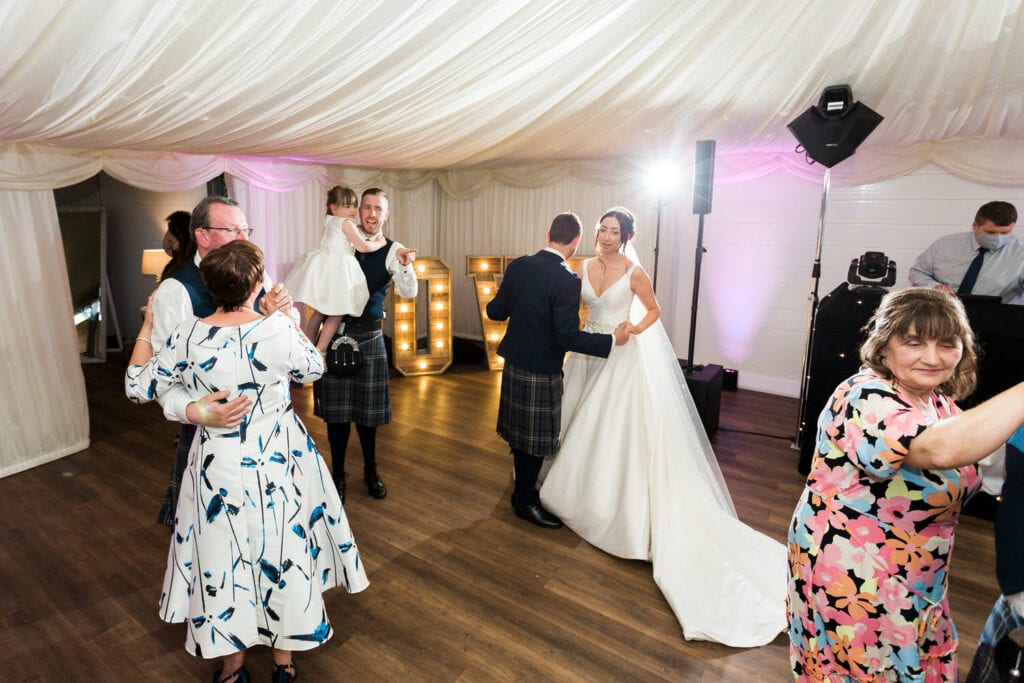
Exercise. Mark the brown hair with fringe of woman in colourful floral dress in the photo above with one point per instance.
(930, 315)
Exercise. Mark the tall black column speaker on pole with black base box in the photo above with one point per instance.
(705, 382)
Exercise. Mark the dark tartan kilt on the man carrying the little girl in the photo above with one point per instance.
(364, 398)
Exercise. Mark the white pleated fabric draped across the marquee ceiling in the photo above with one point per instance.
(443, 83)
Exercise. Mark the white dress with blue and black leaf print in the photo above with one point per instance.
(260, 532)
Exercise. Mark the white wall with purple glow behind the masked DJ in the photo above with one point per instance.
(756, 281)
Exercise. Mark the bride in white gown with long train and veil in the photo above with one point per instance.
(636, 476)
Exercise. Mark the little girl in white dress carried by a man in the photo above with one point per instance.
(329, 280)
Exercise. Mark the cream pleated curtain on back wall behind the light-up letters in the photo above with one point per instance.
(486, 217)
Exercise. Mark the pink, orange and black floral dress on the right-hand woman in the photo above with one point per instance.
(871, 542)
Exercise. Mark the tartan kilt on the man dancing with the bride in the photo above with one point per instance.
(530, 411)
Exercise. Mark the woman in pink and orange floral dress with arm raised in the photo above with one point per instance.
(872, 537)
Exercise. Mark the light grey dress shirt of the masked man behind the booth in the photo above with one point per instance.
(947, 262)
